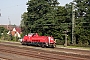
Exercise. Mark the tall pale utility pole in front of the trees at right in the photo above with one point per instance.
(73, 24)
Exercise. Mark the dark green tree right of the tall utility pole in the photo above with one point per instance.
(82, 21)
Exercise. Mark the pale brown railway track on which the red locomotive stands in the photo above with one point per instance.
(73, 51)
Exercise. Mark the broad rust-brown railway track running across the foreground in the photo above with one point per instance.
(42, 54)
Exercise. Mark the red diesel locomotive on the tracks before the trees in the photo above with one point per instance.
(35, 39)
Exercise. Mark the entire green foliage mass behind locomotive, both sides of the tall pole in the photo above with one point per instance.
(47, 18)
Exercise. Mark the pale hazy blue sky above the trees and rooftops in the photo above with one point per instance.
(11, 10)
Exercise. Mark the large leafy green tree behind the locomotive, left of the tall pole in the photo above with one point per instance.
(46, 18)
